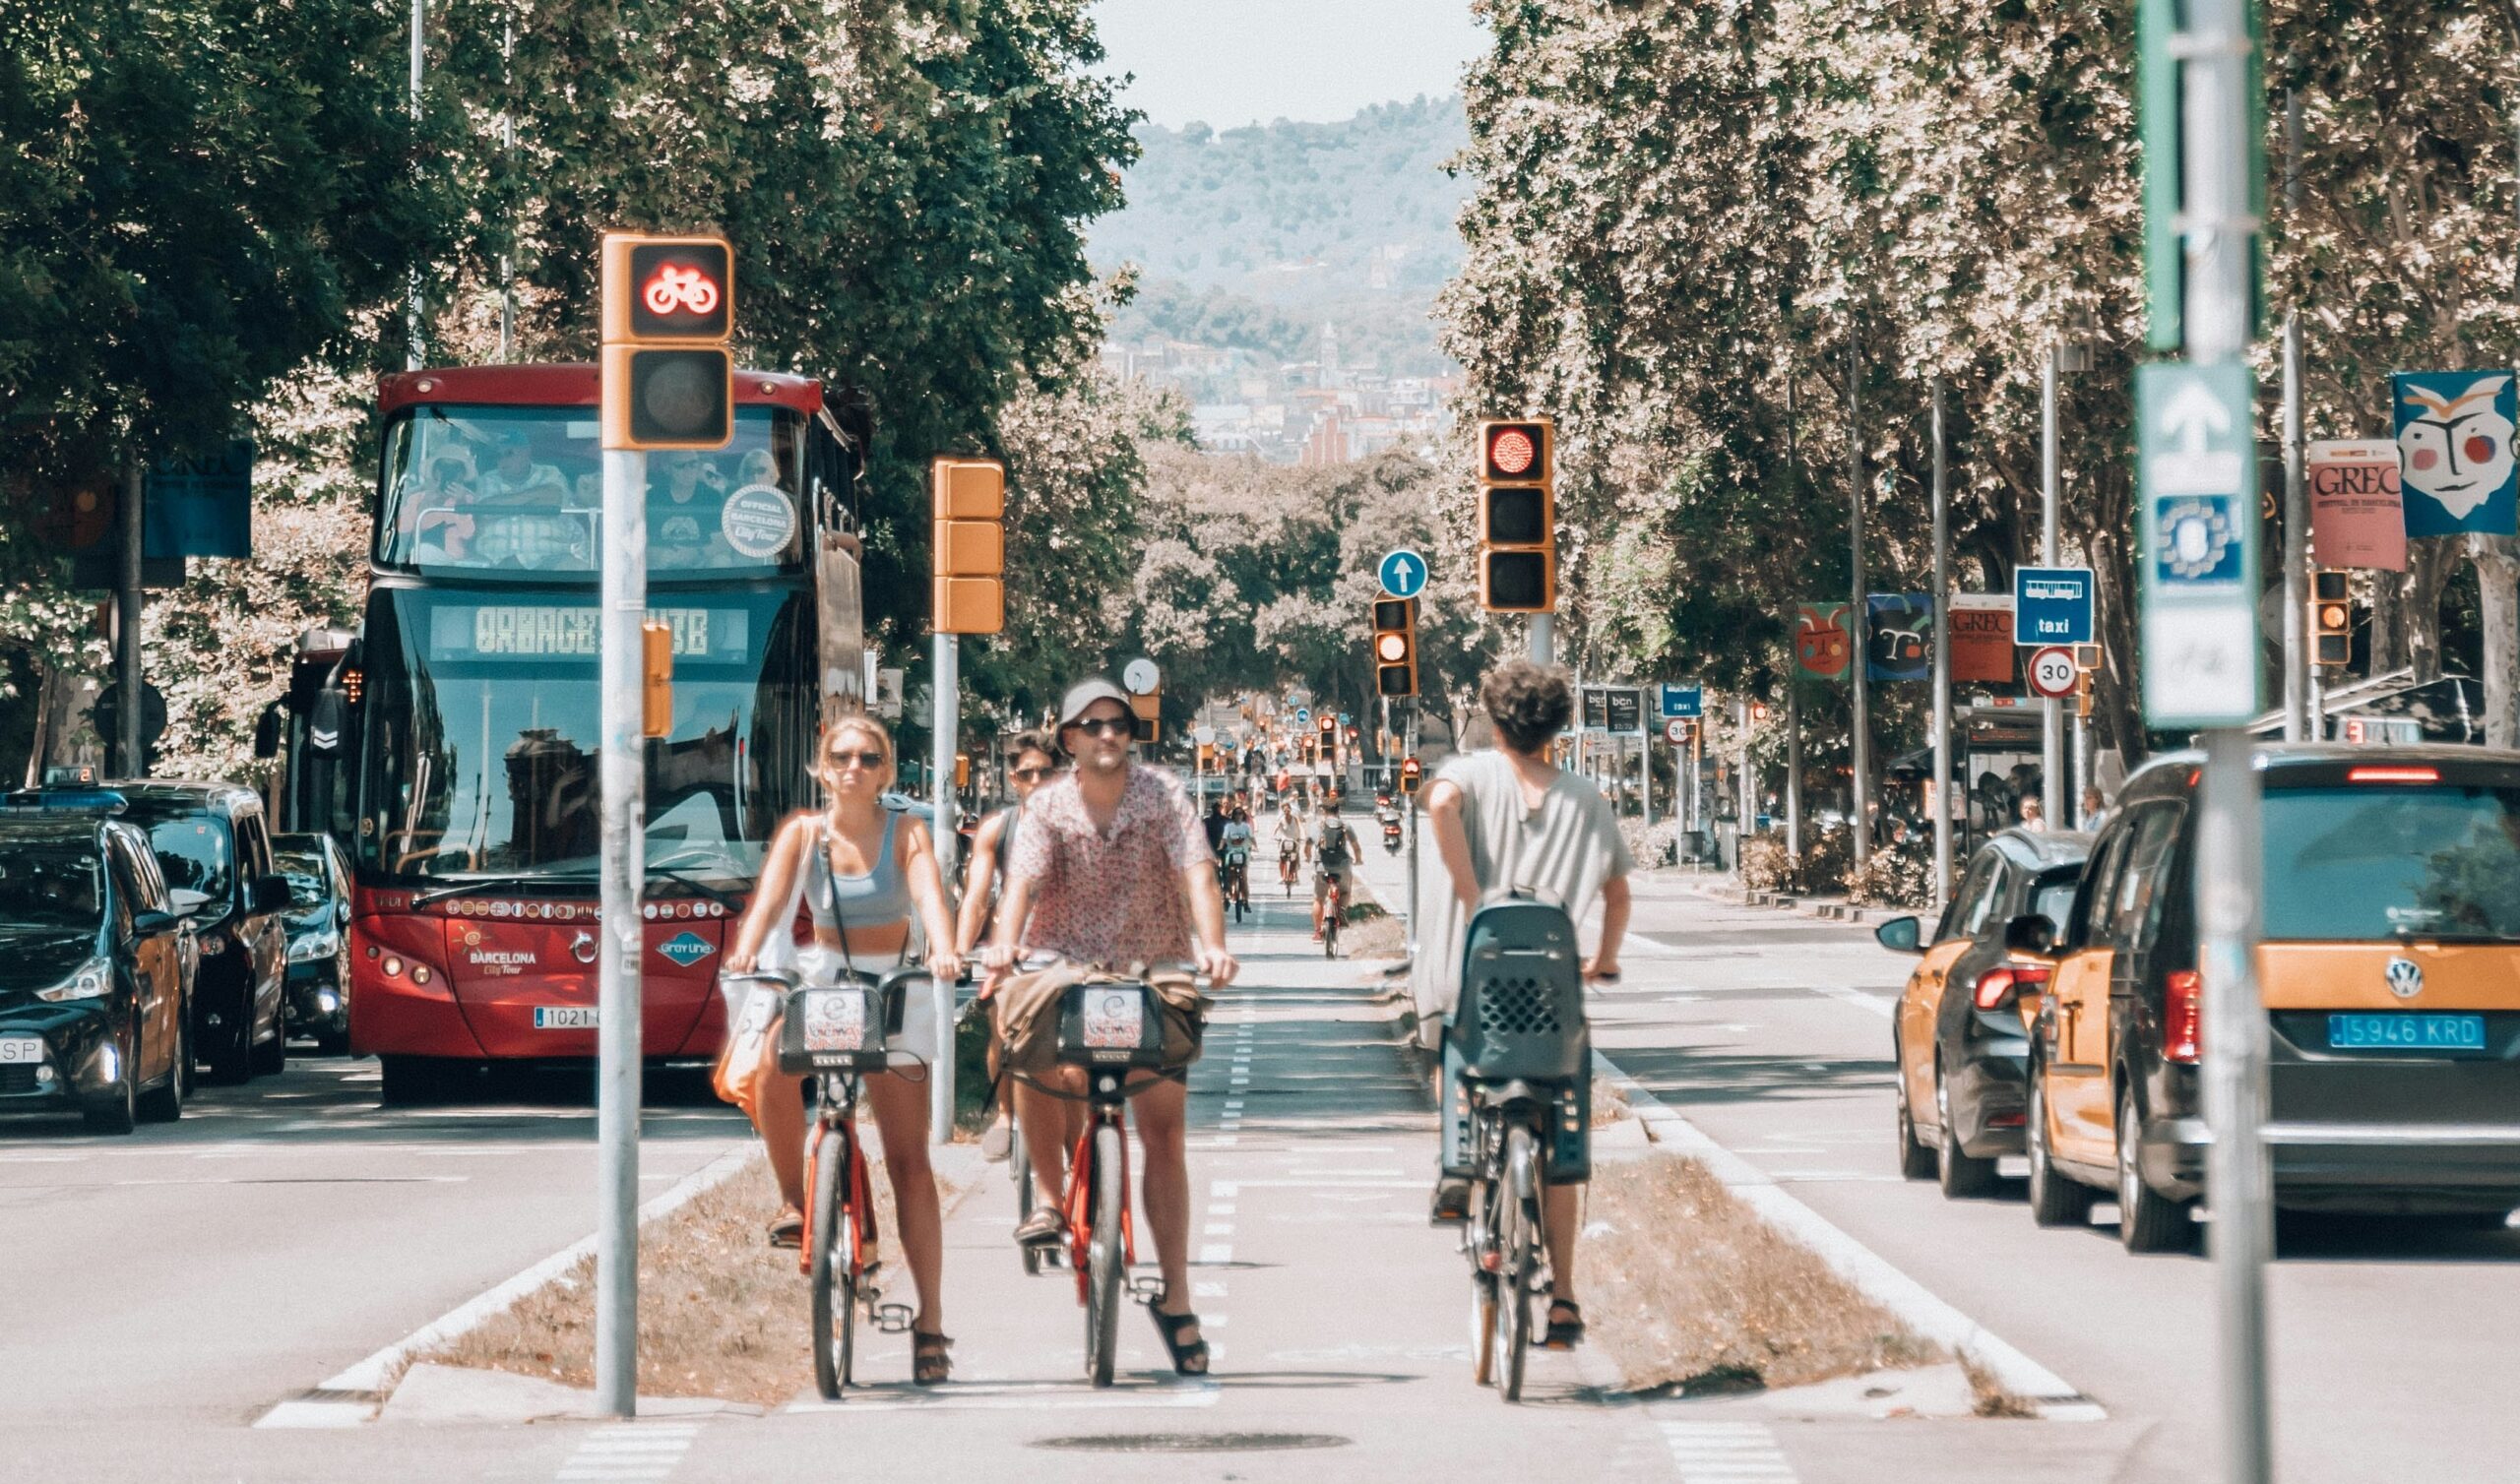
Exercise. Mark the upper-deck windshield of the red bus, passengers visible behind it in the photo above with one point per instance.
(508, 490)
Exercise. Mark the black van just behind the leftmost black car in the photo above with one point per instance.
(218, 858)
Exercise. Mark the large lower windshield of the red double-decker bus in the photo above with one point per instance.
(483, 734)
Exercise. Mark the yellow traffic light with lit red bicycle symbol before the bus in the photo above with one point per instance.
(669, 306)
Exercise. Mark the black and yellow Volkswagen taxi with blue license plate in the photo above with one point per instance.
(2388, 966)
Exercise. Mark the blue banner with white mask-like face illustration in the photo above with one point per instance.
(2456, 440)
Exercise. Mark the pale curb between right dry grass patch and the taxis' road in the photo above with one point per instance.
(1874, 1276)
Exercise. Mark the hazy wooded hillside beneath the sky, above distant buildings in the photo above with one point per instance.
(1254, 238)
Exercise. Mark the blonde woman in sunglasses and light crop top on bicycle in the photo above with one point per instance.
(876, 865)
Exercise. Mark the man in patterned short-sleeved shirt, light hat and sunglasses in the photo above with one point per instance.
(1113, 873)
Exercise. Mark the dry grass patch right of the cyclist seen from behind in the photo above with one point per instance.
(1690, 1291)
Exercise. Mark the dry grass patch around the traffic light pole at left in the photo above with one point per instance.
(722, 1314)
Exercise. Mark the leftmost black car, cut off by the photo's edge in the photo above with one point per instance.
(94, 966)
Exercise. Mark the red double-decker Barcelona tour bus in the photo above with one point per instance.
(455, 750)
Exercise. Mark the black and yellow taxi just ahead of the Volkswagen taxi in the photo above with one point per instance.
(1959, 1034)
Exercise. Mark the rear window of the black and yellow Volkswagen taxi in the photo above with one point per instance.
(2365, 863)
